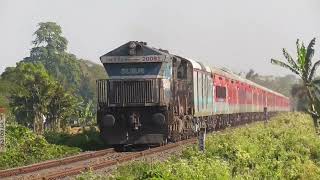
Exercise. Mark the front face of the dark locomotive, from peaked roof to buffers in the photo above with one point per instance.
(133, 101)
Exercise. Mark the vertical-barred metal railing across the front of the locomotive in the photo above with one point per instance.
(128, 92)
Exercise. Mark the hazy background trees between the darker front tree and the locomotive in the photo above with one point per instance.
(49, 49)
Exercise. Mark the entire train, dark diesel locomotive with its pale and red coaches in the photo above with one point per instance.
(151, 97)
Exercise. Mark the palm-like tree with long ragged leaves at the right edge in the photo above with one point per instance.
(304, 68)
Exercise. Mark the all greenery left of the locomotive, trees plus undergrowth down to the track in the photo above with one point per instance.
(48, 92)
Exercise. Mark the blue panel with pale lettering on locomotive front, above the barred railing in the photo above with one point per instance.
(133, 69)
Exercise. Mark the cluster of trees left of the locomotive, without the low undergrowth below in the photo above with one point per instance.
(50, 89)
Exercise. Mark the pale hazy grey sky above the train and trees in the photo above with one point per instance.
(235, 34)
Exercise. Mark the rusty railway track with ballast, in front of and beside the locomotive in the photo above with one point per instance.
(70, 166)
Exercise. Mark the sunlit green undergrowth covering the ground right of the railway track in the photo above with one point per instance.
(285, 148)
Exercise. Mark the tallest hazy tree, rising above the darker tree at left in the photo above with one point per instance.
(50, 50)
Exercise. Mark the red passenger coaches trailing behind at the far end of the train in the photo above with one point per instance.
(244, 96)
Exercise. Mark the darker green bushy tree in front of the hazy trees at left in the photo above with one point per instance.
(35, 95)
